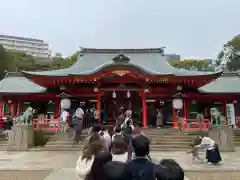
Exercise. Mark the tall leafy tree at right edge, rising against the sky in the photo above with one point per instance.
(230, 54)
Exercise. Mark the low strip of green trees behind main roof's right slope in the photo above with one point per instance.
(192, 64)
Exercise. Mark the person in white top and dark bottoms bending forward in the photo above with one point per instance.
(212, 152)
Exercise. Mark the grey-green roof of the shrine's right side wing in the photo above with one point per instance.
(227, 83)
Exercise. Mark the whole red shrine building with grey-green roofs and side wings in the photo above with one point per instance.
(140, 79)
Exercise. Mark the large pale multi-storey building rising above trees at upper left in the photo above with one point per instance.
(35, 47)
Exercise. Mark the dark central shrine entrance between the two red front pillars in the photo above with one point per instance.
(114, 101)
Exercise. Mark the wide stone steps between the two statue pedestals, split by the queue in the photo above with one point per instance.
(161, 140)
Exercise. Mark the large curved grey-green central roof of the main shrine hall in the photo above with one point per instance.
(150, 61)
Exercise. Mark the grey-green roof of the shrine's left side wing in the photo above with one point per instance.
(14, 83)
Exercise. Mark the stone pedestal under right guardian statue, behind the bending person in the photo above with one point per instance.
(223, 136)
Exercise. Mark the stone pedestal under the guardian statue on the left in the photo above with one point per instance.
(21, 138)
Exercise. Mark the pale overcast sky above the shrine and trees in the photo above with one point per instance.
(190, 28)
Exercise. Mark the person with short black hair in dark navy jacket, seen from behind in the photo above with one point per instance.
(140, 168)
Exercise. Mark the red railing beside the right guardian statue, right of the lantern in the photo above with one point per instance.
(192, 124)
